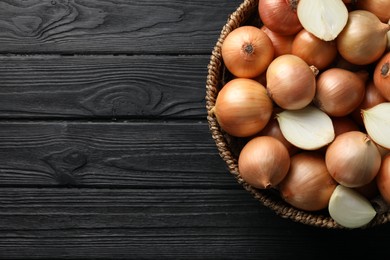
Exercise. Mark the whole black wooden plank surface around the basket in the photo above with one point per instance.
(105, 150)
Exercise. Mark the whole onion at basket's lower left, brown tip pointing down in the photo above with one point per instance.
(263, 162)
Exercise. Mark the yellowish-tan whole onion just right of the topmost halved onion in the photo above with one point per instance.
(363, 40)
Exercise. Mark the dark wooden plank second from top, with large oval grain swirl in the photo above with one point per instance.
(103, 86)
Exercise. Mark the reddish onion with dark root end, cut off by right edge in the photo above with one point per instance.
(382, 76)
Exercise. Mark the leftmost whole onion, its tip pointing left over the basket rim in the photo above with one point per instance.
(242, 107)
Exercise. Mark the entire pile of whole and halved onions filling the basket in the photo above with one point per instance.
(308, 96)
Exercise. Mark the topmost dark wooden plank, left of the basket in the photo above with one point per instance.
(107, 26)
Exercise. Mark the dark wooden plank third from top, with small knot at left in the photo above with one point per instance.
(112, 154)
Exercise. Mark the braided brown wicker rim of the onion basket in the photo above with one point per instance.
(216, 74)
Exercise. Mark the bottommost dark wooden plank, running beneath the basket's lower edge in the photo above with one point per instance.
(163, 224)
